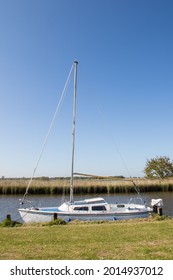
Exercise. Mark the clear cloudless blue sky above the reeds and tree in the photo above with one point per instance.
(125, 85)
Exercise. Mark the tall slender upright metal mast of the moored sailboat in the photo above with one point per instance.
(73, 130)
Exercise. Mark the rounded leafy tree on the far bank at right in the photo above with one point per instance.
(159, 167)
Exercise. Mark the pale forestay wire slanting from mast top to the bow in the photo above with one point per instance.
(48, 133)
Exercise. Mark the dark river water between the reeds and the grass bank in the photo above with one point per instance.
(9, 204)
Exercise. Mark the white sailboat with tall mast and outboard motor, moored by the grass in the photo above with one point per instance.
(88, 209)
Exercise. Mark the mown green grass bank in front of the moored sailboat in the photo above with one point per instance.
(135, 239)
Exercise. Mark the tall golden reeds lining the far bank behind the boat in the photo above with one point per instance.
(50, 186)
